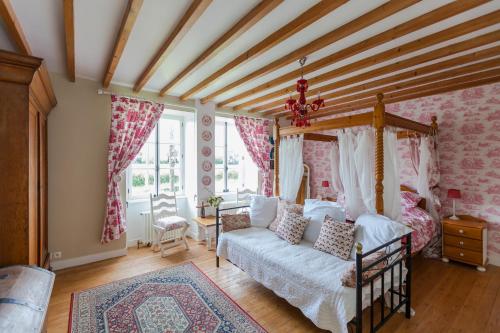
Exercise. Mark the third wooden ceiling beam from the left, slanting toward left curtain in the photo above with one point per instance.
(128, 21)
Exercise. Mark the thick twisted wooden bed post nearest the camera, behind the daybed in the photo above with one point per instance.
(378, 124)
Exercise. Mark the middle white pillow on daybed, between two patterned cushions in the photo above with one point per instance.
(316, 210)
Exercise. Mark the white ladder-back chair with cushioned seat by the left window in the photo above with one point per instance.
(169, 228)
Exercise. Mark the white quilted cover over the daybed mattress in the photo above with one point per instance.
(307, 278)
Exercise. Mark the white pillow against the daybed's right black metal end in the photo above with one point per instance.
(374, 230)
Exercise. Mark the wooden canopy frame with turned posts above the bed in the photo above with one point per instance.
(378, 119)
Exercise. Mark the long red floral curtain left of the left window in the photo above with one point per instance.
(132, 121)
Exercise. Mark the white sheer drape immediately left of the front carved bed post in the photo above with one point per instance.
(364, 158)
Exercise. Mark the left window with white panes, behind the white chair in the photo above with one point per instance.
(158, 168)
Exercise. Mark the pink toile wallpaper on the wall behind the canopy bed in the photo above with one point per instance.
(469, 148)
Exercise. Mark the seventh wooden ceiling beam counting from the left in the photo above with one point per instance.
(351, 27)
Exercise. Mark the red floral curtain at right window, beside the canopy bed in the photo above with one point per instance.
(255, 134)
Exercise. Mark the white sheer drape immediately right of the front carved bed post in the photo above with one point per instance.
(392, 184)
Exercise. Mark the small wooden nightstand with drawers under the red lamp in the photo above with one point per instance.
(465, 240)
